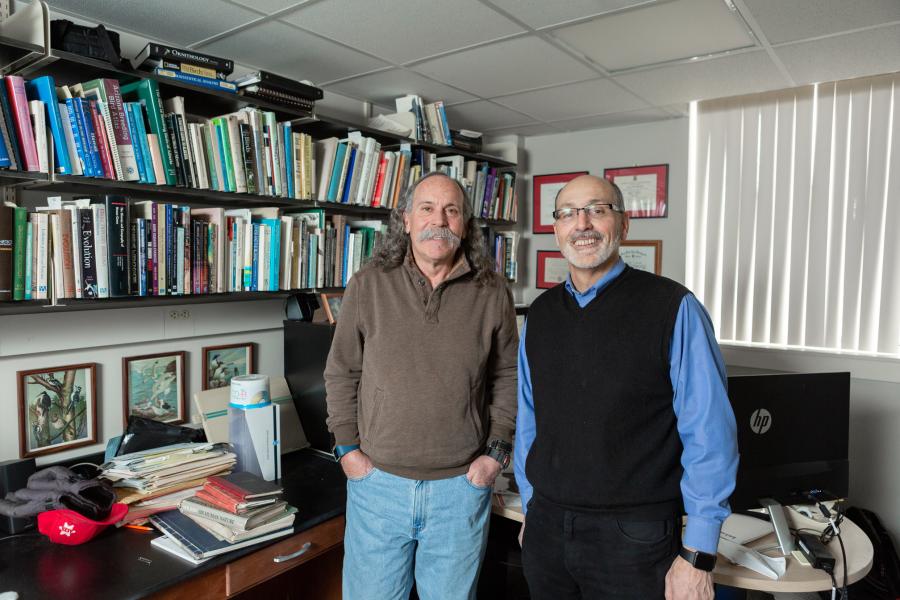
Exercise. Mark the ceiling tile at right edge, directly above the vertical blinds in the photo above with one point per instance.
(871, 52)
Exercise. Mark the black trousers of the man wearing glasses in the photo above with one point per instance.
(579, 555)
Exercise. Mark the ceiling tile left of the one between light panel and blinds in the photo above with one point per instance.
(575, 100)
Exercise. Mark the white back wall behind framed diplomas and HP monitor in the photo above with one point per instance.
(875, 384)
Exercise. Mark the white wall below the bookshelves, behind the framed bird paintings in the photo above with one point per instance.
(106, 336)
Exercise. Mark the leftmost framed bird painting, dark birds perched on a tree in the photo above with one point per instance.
(57, 409)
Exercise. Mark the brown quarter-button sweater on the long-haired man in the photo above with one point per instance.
(422, 378)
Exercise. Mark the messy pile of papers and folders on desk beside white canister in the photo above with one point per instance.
(140, 476)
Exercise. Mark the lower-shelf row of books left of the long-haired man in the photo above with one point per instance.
(115, 247)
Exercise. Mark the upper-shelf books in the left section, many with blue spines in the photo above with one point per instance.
(102, 129)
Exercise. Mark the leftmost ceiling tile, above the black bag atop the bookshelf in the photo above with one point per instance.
(175, 21)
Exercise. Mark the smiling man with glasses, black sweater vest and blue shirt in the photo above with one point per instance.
(623, 420)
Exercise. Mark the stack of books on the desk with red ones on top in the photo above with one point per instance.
(227, 513)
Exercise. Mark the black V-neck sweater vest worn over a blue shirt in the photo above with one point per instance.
(606, 430)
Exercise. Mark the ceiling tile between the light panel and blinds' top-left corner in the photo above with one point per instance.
(743, 73)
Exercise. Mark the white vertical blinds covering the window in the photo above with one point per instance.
(793, 227)
